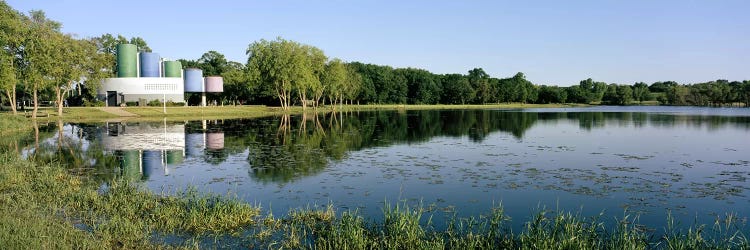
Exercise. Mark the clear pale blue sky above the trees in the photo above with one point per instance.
(552, 42)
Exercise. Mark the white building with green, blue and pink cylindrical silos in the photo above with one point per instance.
(144, 76)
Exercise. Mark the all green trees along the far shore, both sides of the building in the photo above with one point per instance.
(38, 61)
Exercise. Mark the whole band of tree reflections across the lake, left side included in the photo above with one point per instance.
(285, 148)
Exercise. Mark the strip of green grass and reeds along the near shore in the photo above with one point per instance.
(43, 206)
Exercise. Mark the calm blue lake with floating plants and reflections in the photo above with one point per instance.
(693, 163)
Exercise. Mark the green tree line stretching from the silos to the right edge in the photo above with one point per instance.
(285, 73)
